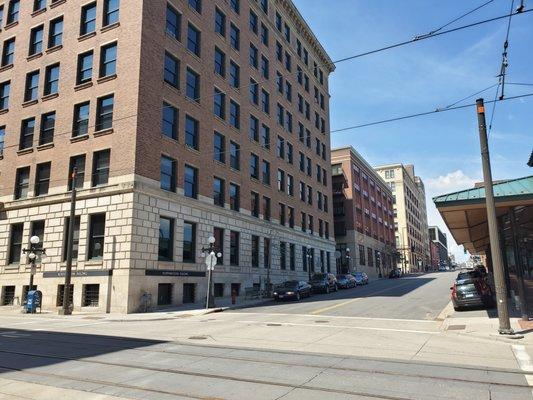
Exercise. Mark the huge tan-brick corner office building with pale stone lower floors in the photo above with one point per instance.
(185, 119)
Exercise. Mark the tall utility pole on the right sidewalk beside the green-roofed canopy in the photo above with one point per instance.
(499, 277)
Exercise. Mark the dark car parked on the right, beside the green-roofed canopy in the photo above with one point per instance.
(471, 289)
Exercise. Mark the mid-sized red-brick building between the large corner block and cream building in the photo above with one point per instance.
(362, 210)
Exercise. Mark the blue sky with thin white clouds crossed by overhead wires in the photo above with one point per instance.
(424, 76)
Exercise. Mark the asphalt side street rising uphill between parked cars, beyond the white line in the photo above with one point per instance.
(420, 297)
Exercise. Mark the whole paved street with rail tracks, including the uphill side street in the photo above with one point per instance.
(375, 342)
